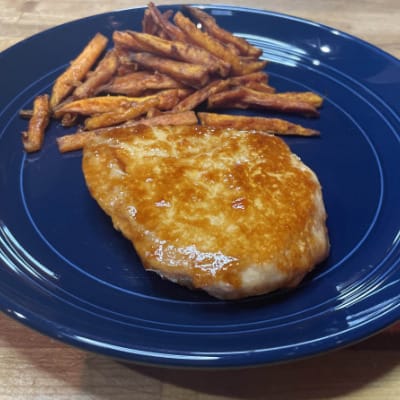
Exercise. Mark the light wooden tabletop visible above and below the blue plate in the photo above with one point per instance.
(33, 366)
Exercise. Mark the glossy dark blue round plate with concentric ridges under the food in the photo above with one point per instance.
(67, 273)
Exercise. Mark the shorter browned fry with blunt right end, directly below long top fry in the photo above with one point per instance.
(190, 74)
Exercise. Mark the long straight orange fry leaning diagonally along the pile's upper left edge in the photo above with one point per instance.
(78, 69)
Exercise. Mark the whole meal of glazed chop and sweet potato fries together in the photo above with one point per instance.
(213, 201)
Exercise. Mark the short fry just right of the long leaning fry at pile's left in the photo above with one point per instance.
(101, 75)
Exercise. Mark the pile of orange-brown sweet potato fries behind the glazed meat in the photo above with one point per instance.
(161, 76)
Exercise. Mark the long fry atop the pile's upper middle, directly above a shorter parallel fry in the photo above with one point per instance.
(182, 51)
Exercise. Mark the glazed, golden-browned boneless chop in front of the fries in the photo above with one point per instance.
(234, 213)
